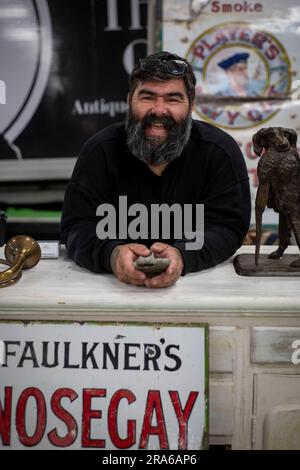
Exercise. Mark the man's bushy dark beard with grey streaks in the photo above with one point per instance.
(153, 150)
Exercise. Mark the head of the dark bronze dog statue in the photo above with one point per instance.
(280, 138)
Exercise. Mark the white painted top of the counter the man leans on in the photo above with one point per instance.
(59, 287)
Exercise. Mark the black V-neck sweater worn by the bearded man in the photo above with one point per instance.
(210, 171)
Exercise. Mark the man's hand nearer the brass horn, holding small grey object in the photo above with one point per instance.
(122, 259)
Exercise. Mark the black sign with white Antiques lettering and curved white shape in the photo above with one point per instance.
(64, 71)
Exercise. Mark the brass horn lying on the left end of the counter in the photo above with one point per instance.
(20, 252)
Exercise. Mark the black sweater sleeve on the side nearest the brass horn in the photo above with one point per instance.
(88, 188)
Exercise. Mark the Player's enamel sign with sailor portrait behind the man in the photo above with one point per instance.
(245, 56)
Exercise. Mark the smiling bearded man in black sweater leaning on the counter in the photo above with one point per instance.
(159, 156)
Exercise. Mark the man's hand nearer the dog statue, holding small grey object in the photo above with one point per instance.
(174, 270)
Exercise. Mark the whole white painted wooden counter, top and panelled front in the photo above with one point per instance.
(254, 386)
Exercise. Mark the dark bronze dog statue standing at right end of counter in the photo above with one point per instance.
(278, 173)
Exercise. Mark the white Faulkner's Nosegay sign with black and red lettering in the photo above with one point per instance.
(103, 386)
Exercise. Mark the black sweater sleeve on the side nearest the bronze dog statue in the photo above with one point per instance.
(227, 210)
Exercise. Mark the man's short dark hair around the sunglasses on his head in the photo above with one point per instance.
(158, 72)
